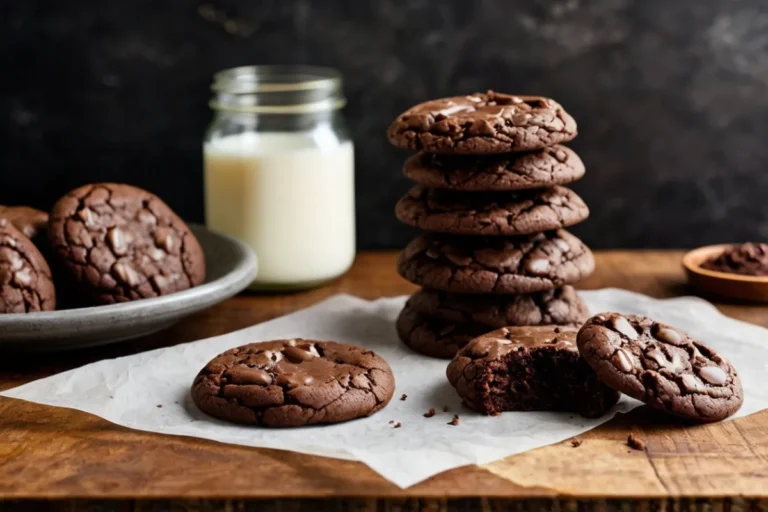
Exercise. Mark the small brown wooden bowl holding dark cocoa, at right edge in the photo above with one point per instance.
(722, 284)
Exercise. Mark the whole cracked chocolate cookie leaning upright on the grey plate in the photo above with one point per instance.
(123, 243)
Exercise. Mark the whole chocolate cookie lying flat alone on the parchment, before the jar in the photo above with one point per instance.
(290, 383)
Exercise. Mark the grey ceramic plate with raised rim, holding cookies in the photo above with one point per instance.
(231, 266)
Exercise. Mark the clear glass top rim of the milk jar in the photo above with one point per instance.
(275, 78)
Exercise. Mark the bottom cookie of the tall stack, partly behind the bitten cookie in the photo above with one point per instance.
(433, 337)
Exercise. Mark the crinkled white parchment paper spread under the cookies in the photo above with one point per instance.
(127, 390)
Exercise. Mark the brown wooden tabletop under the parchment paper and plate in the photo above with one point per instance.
(50, 453)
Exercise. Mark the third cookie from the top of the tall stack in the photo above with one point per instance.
(491, 213)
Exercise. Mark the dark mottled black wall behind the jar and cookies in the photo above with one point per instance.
(671, 97)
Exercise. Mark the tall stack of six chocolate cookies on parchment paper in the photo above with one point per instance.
(489, 196)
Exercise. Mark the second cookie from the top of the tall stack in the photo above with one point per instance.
(550, 166)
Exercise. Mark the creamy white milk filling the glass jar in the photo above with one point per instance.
(290, 200)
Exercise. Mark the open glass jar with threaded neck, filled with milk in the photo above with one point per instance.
(279, 172)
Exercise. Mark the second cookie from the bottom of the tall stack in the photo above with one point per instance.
(561, 306)
